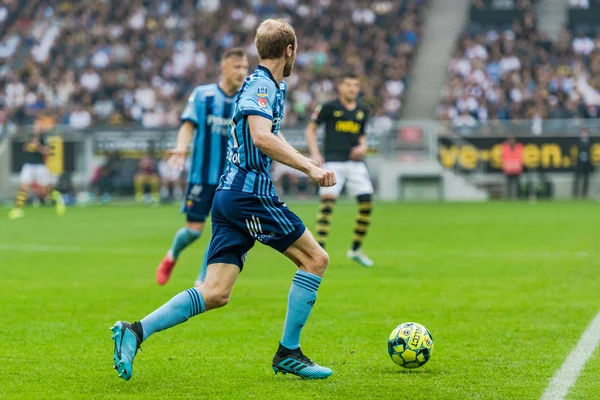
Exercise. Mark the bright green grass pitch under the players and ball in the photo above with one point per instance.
(505, 288)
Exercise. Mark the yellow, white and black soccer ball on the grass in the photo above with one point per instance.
(410, 345)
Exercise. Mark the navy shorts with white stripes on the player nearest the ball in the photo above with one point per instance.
(240, 219)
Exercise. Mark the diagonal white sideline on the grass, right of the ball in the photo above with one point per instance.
(567, 375)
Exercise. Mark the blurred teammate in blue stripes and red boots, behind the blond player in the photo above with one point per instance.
(206, 118)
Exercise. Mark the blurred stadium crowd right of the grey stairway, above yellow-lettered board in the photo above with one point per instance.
(516, 72)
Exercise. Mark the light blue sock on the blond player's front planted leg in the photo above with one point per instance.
(301, 299)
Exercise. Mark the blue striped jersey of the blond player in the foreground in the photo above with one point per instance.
(247, 167)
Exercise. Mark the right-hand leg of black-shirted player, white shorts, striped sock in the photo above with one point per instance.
(359, 184)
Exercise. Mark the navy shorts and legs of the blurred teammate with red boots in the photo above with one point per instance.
(197, 205)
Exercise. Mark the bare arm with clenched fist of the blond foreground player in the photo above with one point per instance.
(278, 150)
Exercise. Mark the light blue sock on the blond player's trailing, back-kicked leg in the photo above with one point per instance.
(177, 310)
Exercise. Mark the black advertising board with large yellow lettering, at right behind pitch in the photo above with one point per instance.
(546, 154)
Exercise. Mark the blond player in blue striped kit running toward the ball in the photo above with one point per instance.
(246, 209)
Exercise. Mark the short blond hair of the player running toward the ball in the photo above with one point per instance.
(273, 36)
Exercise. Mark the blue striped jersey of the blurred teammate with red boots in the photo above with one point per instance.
(210, 109)
